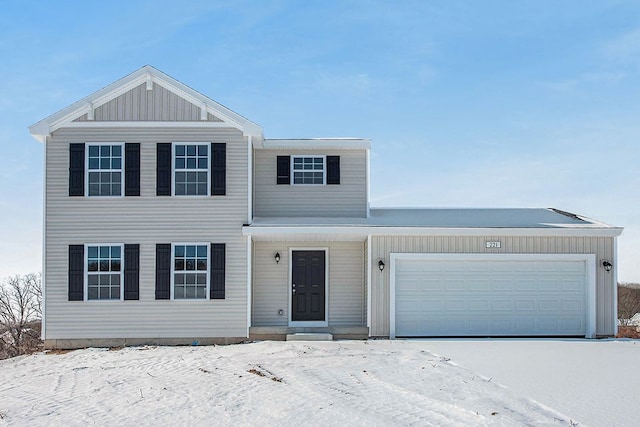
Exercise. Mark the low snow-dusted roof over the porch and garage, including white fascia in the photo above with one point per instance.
(430, 222)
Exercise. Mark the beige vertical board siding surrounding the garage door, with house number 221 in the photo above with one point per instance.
(383, 246)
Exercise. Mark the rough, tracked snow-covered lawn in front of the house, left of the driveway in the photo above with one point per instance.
(374, 383)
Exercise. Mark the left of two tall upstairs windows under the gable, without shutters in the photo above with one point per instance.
(104, 171)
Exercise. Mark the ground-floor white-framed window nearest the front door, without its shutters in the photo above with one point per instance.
(190, 271)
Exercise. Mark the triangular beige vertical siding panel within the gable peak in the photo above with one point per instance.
(140, 104)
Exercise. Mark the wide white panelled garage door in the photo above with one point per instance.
(476, 296)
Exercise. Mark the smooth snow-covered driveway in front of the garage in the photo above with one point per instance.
(596, 382)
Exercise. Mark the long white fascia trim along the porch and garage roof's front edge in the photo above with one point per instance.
(364, 231)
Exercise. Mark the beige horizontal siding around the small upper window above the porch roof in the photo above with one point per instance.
(348, 199)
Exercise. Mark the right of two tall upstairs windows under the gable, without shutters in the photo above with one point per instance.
(191, 169)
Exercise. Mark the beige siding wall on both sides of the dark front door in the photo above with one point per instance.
(271, 283)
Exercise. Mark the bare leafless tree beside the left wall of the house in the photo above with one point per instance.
(20, 314)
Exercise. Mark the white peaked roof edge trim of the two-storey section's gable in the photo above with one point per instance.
(150, 76)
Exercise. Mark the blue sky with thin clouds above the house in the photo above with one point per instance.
(467, 103)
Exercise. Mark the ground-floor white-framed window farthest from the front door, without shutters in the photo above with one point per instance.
(104, 272)
